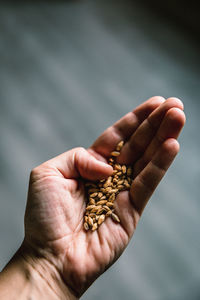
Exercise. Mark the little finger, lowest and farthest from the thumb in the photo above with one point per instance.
(146, 182)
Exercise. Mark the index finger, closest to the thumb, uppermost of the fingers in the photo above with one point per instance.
(125, 127)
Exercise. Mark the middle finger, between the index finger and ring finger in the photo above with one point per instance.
(141, 138)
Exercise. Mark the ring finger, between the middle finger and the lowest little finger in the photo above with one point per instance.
(170, 127)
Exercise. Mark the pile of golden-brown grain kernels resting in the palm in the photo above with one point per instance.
(102, 194)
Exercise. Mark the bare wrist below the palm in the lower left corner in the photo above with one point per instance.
(27, 275)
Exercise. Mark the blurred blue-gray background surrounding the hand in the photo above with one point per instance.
(69, 69)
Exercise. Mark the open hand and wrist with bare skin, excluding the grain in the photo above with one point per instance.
(58, 259)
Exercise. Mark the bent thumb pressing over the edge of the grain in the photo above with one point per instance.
(79, 162)
